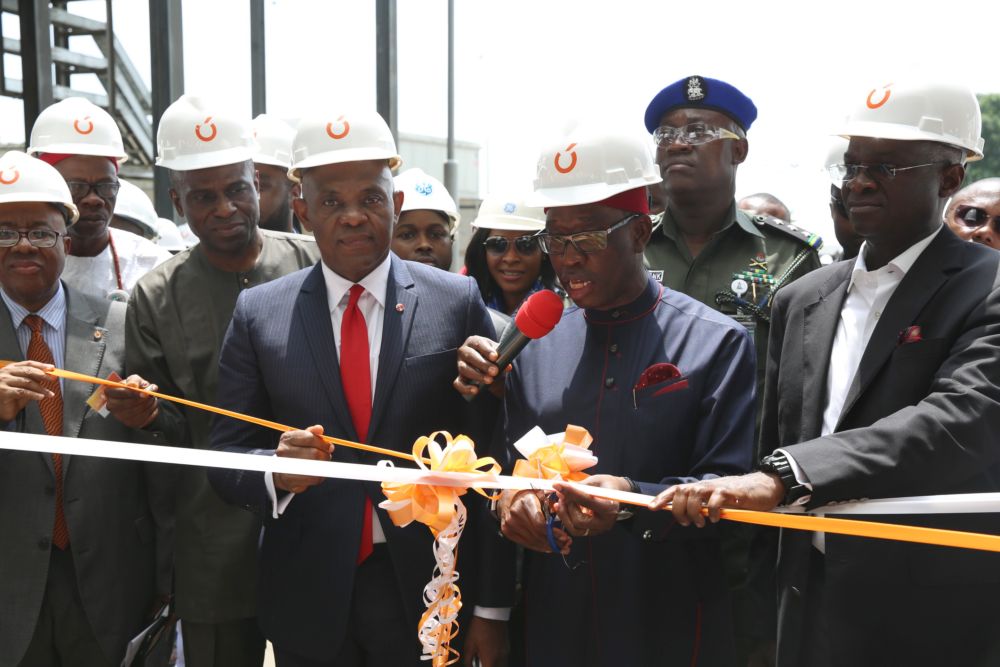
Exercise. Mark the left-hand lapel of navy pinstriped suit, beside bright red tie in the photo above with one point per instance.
(313, 311)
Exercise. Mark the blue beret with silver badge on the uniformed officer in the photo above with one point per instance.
(700, 92)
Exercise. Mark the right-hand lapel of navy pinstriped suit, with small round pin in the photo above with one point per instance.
(395, 335)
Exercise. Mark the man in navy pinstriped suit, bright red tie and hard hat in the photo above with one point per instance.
(361, 346)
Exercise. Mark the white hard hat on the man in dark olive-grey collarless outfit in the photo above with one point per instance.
(195, 134)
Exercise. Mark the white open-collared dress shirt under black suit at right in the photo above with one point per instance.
(868, 293)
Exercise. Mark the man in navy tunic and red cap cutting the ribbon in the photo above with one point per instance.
(664, 385)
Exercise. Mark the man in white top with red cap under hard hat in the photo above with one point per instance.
(83, 143)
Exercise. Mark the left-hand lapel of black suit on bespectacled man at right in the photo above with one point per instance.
(820, 322)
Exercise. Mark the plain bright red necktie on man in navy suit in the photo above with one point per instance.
(356, 379)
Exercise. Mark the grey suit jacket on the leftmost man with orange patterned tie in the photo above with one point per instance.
(113, 508)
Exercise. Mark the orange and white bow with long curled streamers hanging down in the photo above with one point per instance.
(441, 509)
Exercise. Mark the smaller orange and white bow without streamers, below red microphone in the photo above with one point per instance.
(563, 456)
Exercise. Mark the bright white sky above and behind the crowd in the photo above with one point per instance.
(527, 67)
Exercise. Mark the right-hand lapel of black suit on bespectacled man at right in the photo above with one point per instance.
(918, 286)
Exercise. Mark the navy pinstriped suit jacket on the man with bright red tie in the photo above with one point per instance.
(279, 361)
